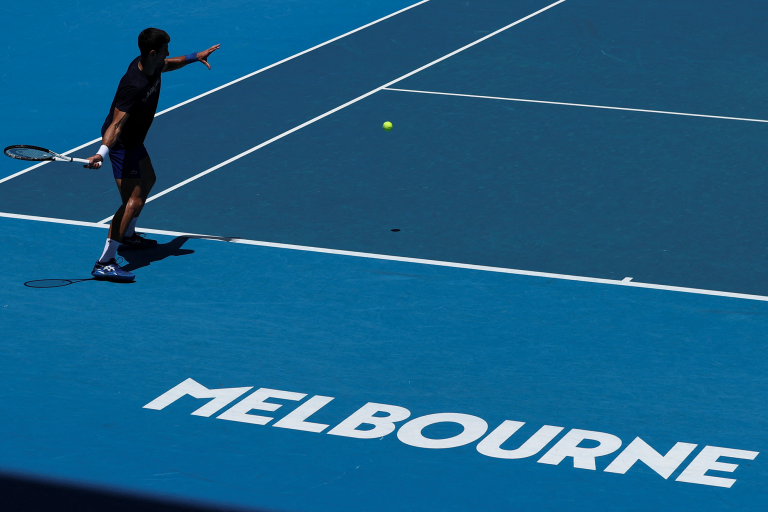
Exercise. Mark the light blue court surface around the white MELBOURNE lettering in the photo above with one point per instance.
(87, 357)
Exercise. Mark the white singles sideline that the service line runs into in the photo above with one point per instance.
(299, 127)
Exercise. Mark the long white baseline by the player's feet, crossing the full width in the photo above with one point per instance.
(615, 282)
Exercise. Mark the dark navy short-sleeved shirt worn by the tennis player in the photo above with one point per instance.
(137, 95)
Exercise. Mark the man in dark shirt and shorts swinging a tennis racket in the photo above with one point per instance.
(123, 133)
